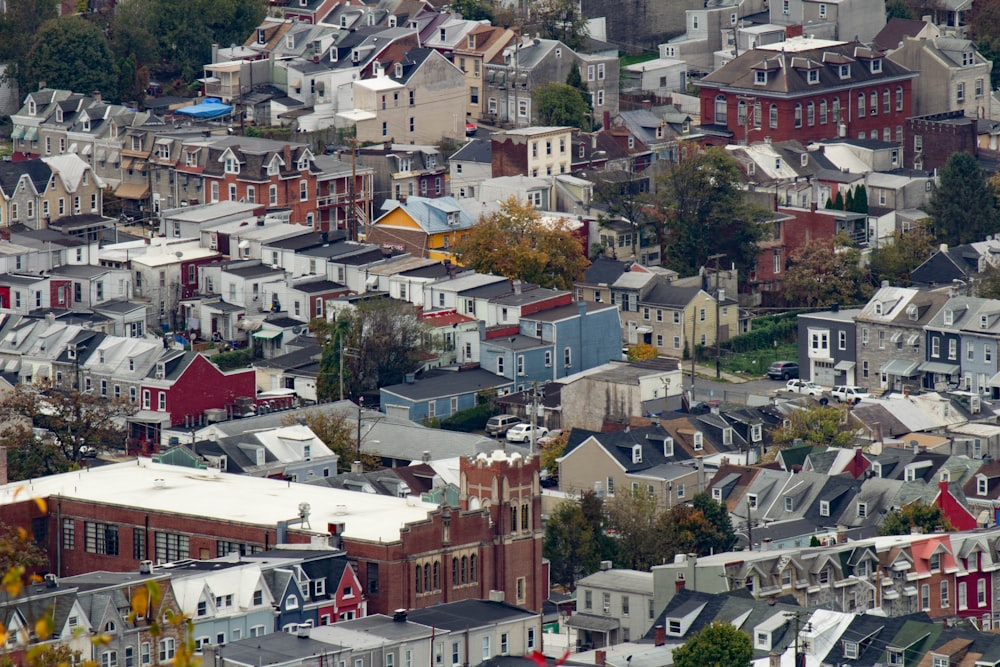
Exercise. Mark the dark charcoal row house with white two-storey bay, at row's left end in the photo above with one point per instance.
(828, 355)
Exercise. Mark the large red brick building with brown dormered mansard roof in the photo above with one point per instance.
(806, 89)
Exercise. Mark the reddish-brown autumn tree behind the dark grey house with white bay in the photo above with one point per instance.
(824, 272)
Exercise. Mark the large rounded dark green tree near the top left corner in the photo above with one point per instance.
(63, 53)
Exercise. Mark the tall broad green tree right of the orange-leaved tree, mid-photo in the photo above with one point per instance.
(703, 212)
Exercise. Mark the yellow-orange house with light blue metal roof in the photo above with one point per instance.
(421, 226)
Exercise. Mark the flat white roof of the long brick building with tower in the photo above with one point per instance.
(226, 497)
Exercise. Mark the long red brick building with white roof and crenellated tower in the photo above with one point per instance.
(406, 553)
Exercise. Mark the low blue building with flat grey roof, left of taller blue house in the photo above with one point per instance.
(440, 392)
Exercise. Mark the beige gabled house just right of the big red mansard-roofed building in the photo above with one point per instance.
(953, 75)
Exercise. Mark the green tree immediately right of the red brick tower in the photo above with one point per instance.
(569, 544)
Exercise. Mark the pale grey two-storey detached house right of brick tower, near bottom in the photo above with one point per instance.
(624, 597)
